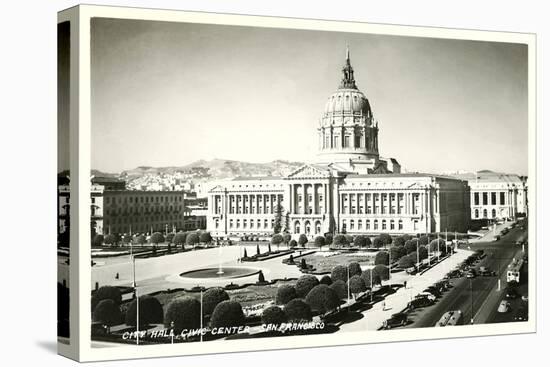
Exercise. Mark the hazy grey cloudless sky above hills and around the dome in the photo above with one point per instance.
(168, 94)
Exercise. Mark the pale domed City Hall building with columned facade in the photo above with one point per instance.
(349, 188)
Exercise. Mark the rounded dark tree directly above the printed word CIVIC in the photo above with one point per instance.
(184, 312)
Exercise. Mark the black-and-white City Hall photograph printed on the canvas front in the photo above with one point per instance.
(264, 183)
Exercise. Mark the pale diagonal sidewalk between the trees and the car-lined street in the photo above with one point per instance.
(374, 317)
